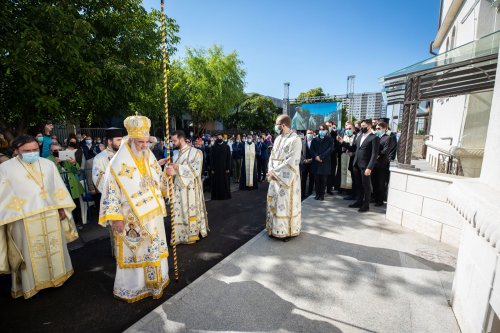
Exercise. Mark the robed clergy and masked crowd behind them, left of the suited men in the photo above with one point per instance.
(133, 184)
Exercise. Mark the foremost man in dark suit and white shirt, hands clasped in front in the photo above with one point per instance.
(367, 145)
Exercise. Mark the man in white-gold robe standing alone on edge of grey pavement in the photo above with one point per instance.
(283, 219)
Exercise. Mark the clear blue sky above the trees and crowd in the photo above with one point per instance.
(315, 43)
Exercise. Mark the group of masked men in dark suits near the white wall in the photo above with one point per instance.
(353, 161)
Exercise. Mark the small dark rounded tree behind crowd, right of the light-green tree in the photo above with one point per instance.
(256, 112)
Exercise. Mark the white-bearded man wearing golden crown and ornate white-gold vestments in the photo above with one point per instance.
(132, 203)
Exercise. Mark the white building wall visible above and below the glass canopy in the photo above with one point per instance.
(461, 121)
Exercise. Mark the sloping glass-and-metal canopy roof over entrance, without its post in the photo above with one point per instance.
(465, 69)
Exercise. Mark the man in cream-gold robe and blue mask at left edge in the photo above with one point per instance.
(34, 228)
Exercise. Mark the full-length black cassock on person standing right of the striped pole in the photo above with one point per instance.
(220, 163)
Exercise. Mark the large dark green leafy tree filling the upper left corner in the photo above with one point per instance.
(80, 60)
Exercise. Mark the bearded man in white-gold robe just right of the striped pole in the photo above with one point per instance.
(190, 215)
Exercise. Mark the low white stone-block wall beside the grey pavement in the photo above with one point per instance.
(417, 200)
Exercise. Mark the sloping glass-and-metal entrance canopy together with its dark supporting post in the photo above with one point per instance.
(463, 70)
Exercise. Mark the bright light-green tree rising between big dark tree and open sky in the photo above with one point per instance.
(215, 82)
